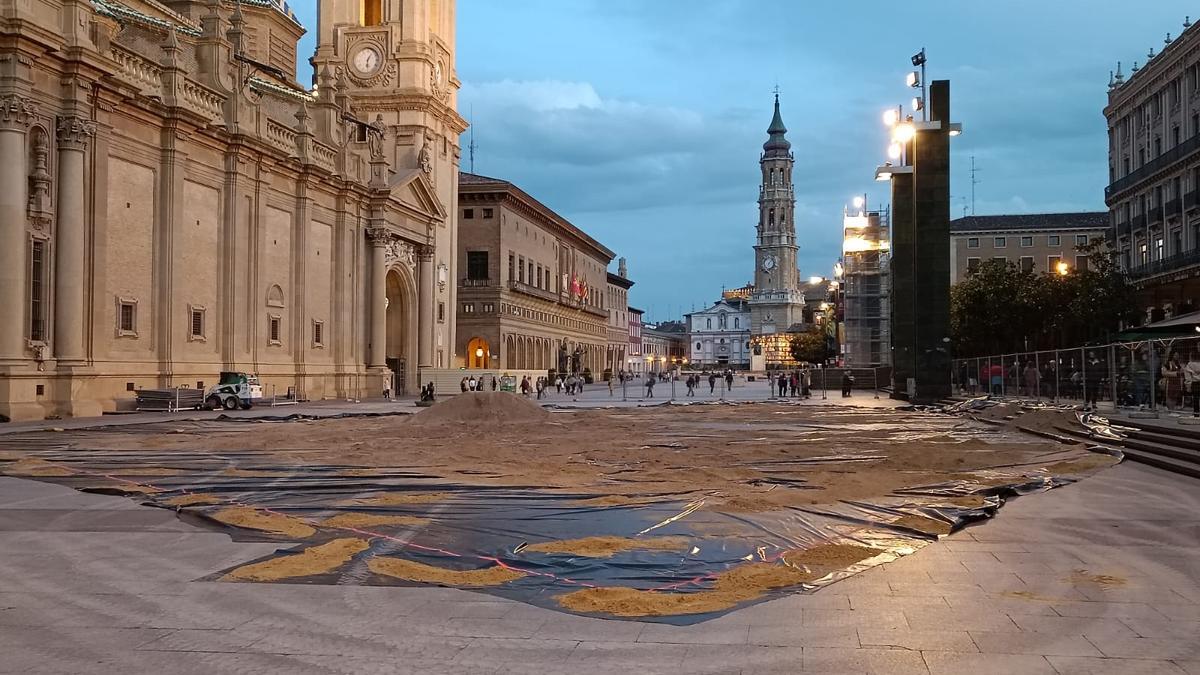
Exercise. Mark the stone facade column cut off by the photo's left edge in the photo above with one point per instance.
(16, 115)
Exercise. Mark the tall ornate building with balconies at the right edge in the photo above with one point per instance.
(1155, 176)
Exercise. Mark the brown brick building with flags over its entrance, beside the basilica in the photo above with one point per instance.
(533, 294)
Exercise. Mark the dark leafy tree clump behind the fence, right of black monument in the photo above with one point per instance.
(1001, 309)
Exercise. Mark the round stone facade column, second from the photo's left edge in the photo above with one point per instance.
(71, 238)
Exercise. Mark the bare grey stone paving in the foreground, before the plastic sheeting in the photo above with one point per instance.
(1099, 577)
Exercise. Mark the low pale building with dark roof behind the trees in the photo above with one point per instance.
(1037, 243)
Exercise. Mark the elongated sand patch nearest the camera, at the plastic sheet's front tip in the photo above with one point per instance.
(737, 586)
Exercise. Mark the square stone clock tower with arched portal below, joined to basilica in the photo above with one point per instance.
(391, 68)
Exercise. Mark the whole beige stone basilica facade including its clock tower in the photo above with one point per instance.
(175, 205)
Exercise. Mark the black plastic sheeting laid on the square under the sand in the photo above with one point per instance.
(478, 528)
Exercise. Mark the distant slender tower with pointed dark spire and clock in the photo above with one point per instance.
(778, 302)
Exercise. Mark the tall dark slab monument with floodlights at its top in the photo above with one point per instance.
(921, 267)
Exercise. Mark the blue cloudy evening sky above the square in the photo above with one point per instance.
(643, 121)
